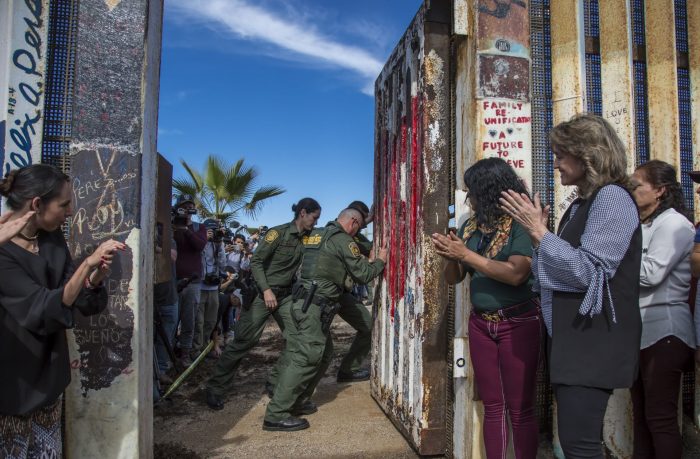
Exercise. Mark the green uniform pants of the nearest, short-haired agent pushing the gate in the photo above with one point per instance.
(307, 346)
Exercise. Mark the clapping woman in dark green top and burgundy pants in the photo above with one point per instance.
(504, 326)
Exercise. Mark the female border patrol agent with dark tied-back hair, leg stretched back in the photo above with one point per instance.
(273, 265)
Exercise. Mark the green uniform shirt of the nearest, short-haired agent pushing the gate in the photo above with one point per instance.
(338, 256)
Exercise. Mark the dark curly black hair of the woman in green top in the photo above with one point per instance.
(486, 179)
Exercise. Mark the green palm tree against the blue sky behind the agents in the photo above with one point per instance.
(222, 190)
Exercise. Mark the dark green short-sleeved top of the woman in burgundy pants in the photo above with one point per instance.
(488, 294)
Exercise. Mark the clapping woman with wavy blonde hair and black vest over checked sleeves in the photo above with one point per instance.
(588, 278)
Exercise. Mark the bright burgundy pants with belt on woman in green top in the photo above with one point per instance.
(505, 356)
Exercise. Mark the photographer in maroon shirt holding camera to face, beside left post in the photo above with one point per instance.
(190, 239)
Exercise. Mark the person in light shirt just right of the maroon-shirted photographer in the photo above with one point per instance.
(214, 263)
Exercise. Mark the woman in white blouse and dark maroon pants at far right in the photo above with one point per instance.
(668, 338)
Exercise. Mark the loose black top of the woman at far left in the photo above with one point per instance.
(33, 322)
